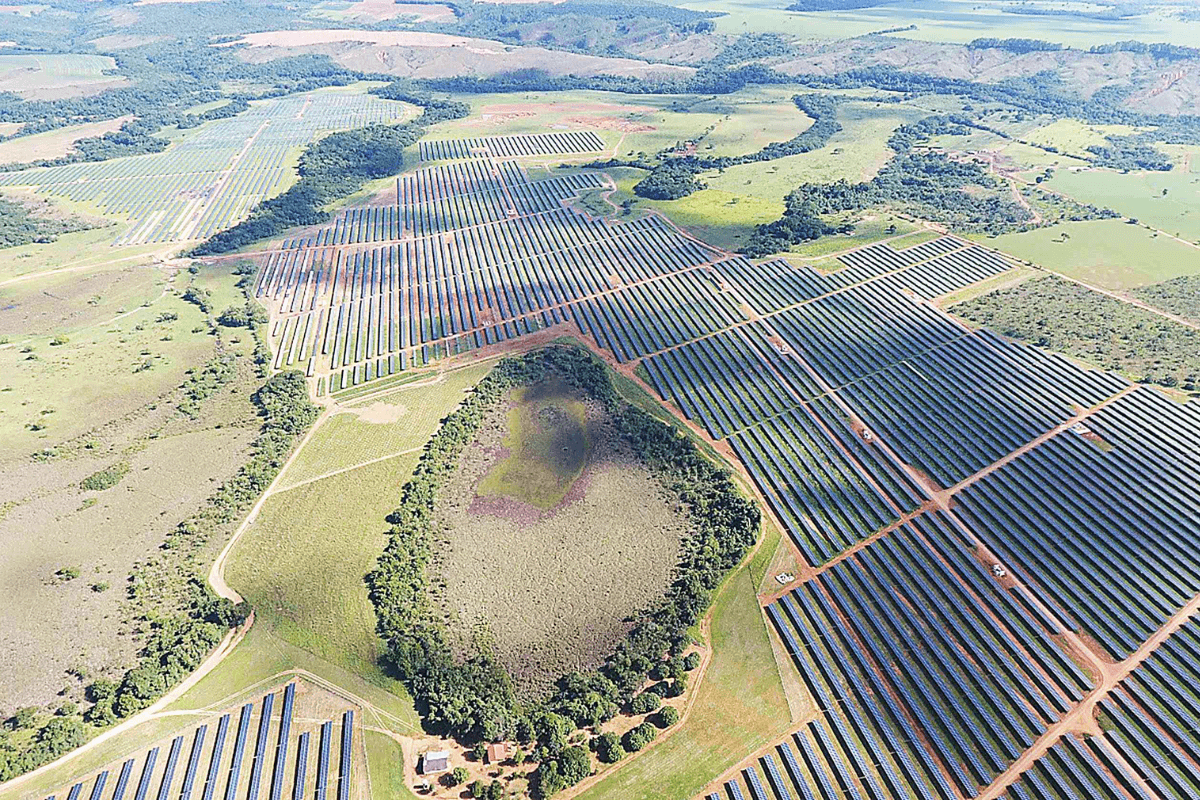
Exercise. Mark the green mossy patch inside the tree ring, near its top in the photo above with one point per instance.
(547, 444)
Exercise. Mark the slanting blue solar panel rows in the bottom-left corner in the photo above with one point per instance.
(211, 769)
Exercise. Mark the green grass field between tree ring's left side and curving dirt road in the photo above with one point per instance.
(339, 524)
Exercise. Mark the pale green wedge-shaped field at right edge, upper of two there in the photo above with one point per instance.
(1141, 196)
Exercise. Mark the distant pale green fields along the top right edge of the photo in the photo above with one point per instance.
(946, 21)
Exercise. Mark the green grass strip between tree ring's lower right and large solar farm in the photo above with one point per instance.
(741, 706)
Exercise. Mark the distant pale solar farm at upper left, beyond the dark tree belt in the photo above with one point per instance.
(212, 178)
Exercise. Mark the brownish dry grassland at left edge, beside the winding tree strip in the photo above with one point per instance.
(47, 524)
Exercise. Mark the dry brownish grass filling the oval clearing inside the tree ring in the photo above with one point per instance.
(553, 587)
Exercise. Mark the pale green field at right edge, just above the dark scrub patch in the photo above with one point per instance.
(1108, 252)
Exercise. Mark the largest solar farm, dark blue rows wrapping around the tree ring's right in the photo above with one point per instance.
(988, 580)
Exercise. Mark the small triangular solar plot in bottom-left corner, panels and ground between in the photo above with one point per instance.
(251, 751)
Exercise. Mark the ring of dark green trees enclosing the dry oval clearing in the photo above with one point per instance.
(471, 697)
